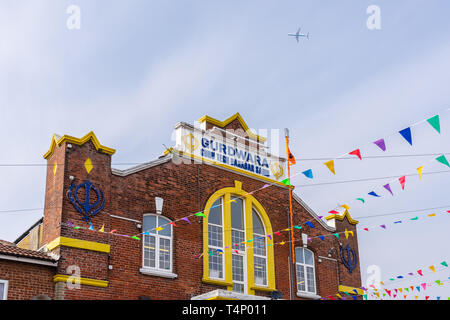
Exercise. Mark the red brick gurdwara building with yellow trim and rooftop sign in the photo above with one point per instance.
(209, 219)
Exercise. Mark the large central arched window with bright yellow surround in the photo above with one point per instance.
(236, 242)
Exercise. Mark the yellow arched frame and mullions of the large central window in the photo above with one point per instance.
(249, 203)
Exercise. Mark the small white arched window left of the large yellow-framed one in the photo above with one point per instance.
(157, 243)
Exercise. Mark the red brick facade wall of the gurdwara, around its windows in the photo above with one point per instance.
(185, 189)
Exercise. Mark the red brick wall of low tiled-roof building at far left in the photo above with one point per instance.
(27, 280)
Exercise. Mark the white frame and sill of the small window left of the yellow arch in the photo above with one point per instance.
(167, 273)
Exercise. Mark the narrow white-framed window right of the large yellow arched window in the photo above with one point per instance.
(306, 275)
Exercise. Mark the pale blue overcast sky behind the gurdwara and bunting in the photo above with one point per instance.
(135, 68)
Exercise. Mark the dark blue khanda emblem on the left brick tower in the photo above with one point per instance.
(93, 203)
